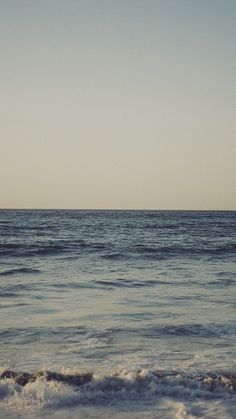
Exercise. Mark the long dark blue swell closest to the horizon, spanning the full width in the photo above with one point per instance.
(116, 252)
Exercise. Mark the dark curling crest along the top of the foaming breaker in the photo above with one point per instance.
(132, 380)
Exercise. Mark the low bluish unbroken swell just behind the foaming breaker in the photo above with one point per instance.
(20, 336)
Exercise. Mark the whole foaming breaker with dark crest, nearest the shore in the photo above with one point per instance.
(50, 388)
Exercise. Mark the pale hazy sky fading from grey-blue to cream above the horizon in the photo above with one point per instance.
(119, 104)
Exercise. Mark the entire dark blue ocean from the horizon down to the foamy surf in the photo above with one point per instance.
(124, 314)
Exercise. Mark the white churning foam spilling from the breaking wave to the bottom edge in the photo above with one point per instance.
(170, 395)
